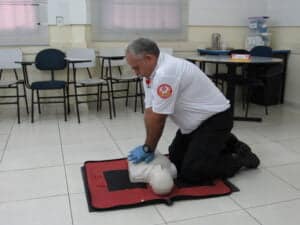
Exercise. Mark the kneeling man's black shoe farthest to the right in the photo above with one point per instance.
(246, 157)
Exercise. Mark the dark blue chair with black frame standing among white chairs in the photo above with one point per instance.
(47, 60)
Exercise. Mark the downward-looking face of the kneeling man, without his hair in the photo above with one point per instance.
(142, 65)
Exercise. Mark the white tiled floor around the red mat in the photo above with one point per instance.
(41, 184)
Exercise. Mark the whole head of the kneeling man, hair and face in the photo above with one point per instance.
(142, 55)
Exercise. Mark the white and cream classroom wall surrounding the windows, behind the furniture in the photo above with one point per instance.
(75, 32)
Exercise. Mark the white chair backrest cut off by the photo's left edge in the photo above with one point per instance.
(8, 57)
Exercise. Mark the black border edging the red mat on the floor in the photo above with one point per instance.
(168, 202)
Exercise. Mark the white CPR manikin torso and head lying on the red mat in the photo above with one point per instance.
(159, 173)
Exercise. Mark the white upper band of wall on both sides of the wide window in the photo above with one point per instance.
(201, 12)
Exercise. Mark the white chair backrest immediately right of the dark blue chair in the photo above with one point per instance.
(82, 53)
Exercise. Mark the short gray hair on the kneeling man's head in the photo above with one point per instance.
(142, 46)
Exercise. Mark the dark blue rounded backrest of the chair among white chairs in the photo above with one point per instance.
(50, 59)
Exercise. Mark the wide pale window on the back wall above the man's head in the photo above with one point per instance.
(116, 20)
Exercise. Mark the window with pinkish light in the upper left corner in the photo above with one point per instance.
(23, 22)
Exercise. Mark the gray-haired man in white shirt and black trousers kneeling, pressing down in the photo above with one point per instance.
(204, 147)
